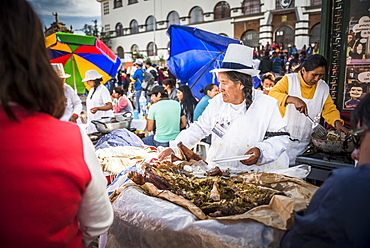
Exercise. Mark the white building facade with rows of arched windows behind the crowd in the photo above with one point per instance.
(138, 27)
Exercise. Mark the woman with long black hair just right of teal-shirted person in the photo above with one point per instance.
(188, 103)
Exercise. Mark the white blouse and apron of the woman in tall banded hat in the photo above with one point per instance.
(246, 130)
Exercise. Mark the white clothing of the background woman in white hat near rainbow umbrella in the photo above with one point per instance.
(99, 99)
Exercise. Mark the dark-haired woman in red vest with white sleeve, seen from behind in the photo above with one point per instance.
(57, 196)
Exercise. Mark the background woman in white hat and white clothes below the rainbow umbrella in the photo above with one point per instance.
(98, 101)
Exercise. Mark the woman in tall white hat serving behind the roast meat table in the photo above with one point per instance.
(241, 120)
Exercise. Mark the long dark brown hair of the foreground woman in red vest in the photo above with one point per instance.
(27, 77)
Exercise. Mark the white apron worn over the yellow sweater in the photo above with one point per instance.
(298, 126)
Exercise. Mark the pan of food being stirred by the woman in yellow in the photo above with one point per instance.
(334, 143)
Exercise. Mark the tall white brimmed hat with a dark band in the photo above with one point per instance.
(238, 58)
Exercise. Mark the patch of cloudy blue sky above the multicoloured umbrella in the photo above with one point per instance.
(70, 12)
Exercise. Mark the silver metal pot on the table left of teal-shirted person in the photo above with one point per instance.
(107, 125)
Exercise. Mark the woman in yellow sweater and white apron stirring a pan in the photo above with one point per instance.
(305, 93)
